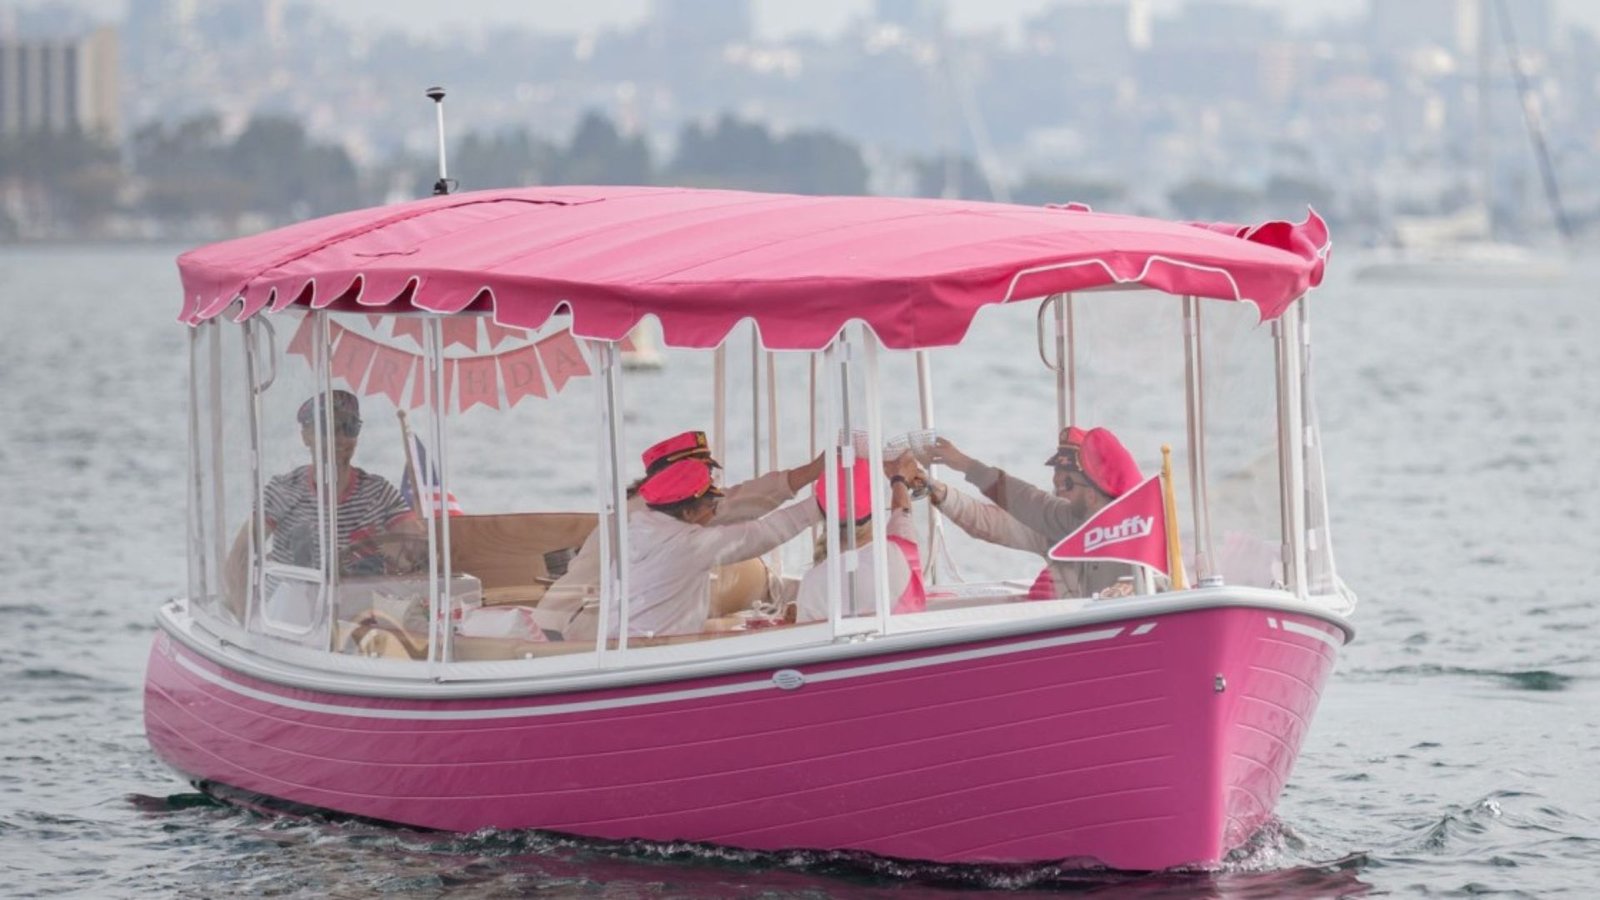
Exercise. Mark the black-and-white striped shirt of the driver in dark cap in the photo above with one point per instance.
(369, 507)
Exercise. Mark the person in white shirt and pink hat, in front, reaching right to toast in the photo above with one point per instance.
(674, 544)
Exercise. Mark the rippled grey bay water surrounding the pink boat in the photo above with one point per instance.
(1452, 753)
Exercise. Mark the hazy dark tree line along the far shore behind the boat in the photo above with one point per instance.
(193, 177)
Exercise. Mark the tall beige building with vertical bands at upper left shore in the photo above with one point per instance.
(62, 86)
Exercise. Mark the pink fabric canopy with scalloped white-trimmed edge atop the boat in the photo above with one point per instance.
(700, 262)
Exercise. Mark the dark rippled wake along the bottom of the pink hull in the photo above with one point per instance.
(1273, 864)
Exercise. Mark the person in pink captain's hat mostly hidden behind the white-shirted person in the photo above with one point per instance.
(743, 502)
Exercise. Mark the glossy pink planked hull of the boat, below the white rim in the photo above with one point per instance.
(1143, 744)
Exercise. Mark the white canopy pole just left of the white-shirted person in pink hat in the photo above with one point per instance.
(614, 507)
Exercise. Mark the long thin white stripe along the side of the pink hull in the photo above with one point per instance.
(639, 701)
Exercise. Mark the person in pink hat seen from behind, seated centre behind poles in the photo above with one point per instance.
(905, 563)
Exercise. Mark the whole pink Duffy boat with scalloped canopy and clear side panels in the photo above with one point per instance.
(340, 653)
